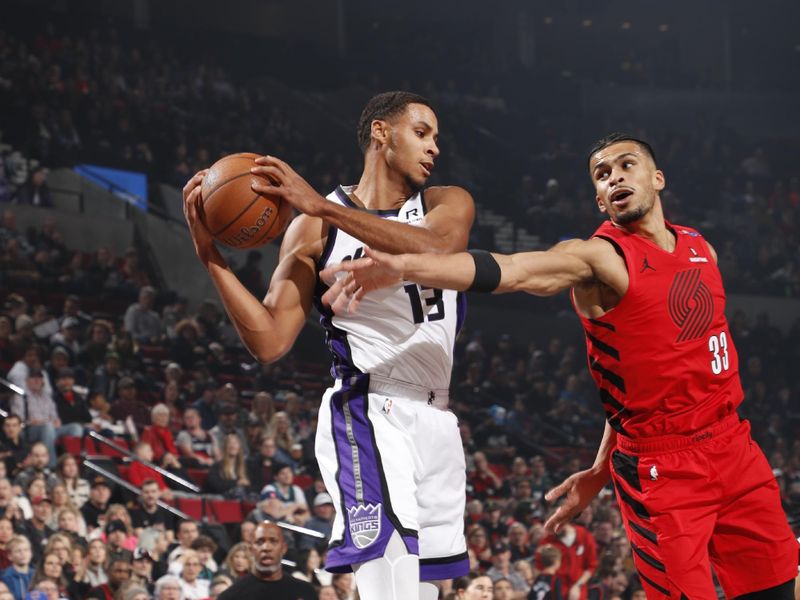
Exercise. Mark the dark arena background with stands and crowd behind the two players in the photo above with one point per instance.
(108, 107)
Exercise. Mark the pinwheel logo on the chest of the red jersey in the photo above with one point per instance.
(691, 305)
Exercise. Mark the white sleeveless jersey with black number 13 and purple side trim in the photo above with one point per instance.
(405, 333)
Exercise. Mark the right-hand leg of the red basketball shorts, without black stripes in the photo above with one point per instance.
(753, 547)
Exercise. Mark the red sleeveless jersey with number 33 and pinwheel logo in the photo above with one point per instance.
(663, 358)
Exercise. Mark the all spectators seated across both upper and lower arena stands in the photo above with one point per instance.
(97, 347)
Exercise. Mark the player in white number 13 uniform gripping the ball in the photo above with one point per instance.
(388, 449)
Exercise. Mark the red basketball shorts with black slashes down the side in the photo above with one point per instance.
(703, 500)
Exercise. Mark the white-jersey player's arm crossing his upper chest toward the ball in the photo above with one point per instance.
(445, 227)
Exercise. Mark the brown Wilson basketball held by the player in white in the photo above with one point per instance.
(235, 214)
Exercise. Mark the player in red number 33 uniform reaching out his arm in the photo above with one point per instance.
(694, 489)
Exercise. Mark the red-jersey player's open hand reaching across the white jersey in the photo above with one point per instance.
(351, 280)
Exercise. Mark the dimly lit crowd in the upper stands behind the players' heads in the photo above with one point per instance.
(75, 96)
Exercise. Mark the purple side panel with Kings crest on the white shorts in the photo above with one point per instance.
(365, 510)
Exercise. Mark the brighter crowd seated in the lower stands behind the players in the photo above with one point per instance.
(178, 390)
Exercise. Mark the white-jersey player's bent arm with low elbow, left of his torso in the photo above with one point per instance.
(267, 329)
